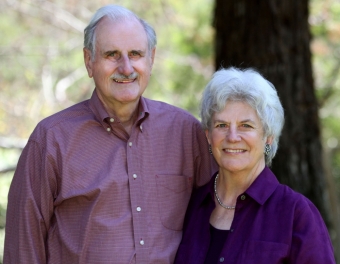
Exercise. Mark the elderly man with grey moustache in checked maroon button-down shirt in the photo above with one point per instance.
(108, 180)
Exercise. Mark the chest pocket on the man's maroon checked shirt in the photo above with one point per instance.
(173, 194)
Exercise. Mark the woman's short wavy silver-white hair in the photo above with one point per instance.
(249, 86)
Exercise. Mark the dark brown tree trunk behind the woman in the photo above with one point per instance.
(273, 37)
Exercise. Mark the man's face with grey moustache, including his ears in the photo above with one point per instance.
(122, 63)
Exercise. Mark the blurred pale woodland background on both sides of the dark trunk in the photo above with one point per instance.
(42, 72)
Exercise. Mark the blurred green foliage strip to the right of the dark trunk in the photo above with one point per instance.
(325, 27)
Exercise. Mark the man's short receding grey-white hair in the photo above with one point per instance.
(115, 13)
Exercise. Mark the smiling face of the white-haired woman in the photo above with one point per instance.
(237, 139)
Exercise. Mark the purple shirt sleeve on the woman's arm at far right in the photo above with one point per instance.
(311, 243)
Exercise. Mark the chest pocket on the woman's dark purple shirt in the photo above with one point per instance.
(265, 252)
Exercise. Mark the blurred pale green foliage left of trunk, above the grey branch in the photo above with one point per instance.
(43, 48)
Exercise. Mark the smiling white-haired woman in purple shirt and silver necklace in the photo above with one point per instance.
(244, 215)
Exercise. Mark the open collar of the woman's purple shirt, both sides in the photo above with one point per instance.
(260, 190)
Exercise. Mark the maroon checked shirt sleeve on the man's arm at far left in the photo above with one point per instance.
(30, 207)
